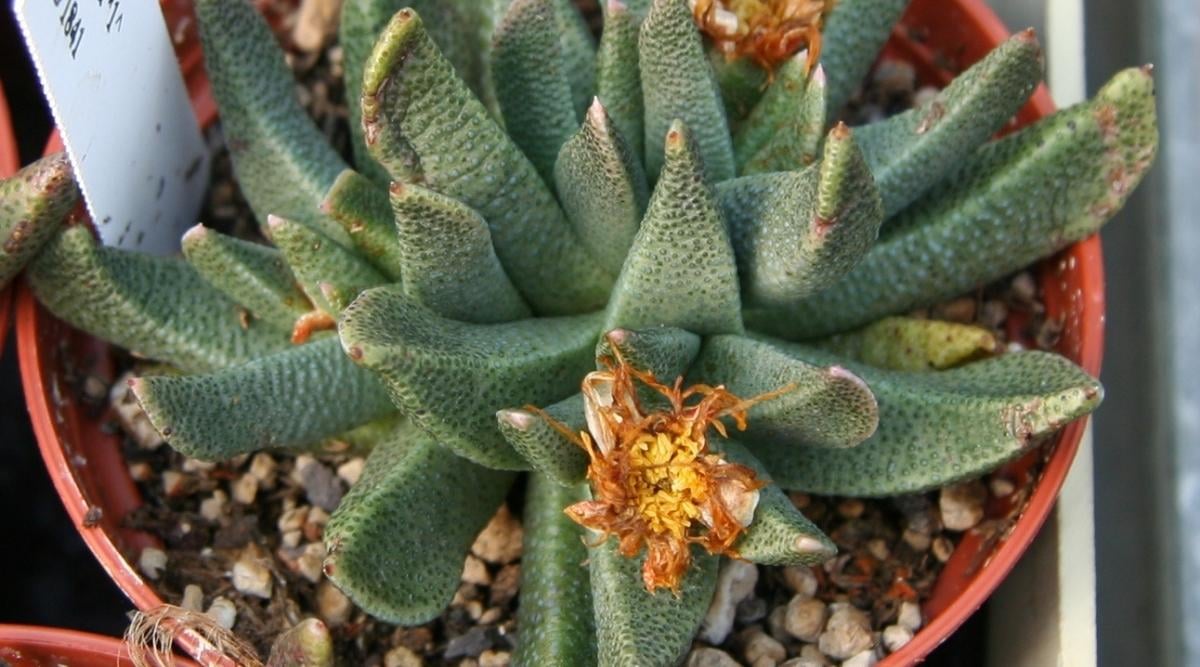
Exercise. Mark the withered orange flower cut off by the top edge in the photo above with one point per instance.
(767, 32)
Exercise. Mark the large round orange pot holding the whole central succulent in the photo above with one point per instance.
(940, 38)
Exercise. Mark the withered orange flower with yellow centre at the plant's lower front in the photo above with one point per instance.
(655, 480)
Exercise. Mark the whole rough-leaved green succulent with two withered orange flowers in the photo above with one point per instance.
(543, 232)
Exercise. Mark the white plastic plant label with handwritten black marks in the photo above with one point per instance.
(118, 98)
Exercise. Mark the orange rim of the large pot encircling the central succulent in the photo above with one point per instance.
(1072, 281)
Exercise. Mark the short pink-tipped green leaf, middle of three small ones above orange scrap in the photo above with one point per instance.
(329, 274)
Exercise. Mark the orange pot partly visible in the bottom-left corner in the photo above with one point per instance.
(26, 646)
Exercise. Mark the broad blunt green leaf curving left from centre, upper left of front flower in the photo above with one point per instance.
(452, 377)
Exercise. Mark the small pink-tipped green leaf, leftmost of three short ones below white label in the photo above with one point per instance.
(254, 275)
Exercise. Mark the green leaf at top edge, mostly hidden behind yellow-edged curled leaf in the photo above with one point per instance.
(460, 28)
